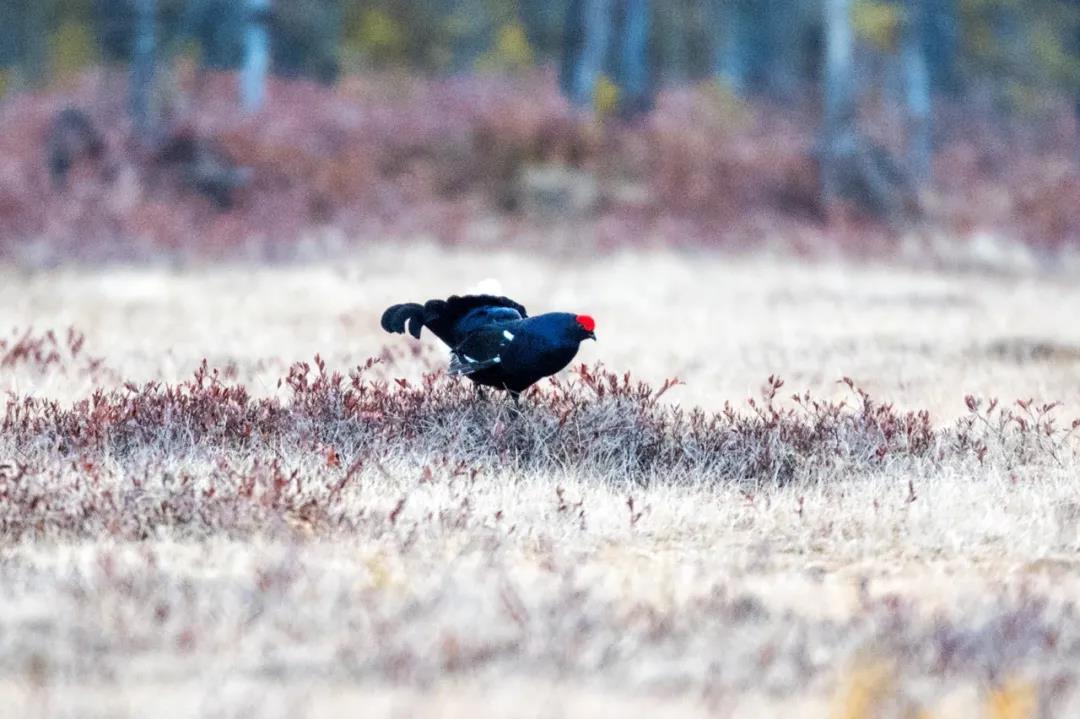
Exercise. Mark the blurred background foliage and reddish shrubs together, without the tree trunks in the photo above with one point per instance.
(710, 157)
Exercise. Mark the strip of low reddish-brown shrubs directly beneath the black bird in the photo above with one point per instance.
(599, 424)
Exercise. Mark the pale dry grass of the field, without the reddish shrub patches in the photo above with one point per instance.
(939, 589)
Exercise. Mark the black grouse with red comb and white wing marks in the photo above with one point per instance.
(493, 341)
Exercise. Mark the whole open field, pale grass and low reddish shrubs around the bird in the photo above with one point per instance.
(335, 563)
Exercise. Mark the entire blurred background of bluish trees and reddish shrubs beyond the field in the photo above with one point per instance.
(939, 131)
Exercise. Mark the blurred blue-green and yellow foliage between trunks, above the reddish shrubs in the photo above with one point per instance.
(1024, 53)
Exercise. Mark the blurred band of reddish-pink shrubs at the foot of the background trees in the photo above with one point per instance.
(379, 158)
